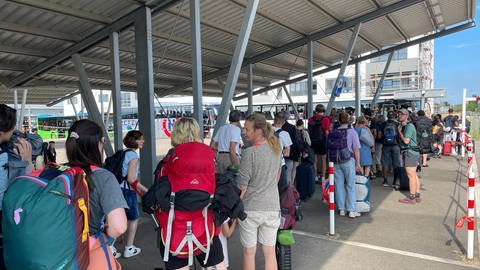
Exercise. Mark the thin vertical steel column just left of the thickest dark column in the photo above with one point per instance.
(116, 91)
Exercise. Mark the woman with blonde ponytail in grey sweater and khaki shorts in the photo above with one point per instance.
(258, 176)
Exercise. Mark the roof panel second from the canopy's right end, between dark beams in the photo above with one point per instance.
(413, 20)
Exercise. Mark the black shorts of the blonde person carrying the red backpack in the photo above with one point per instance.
(215, 257)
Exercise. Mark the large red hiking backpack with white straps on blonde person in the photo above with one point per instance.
(187, 230)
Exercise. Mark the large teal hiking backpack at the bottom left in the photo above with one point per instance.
(45, 221)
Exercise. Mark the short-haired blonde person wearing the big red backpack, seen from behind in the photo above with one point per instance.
(190, 169)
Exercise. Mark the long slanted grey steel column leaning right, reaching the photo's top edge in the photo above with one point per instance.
(236, 65)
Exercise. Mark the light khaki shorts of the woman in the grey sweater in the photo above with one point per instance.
(263, 223)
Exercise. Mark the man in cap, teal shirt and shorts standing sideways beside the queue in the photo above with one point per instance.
(407, 136)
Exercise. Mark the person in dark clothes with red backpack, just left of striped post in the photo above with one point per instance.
(318, 129)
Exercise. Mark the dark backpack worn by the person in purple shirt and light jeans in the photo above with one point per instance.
(337, 146)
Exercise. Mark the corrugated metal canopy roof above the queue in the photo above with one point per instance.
(37, 37)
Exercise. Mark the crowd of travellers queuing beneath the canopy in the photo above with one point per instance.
(261, 154)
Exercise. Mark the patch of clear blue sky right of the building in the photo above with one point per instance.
(457, 62)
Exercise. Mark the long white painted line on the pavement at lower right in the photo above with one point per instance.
(385, 249)
